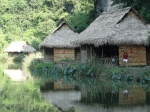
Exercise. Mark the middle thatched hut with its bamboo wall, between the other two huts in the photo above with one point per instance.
(57, 46)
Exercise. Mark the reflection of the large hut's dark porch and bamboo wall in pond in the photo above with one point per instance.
(135, 95)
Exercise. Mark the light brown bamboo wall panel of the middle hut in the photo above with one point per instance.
(64, 54)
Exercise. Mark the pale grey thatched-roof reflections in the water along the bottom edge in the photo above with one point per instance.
(67, 99)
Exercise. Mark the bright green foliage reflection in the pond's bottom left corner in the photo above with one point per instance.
(24, 97)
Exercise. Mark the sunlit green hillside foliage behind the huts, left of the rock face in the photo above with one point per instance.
(33, 20)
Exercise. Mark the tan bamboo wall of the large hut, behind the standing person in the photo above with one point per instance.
(136, 55)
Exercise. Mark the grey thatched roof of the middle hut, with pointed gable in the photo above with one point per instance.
(60, 38)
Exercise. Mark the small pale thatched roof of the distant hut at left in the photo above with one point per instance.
(19, 46)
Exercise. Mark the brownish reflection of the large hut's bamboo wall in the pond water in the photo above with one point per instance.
(136, 95)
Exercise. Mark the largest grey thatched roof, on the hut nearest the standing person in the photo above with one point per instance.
(120, 27)
